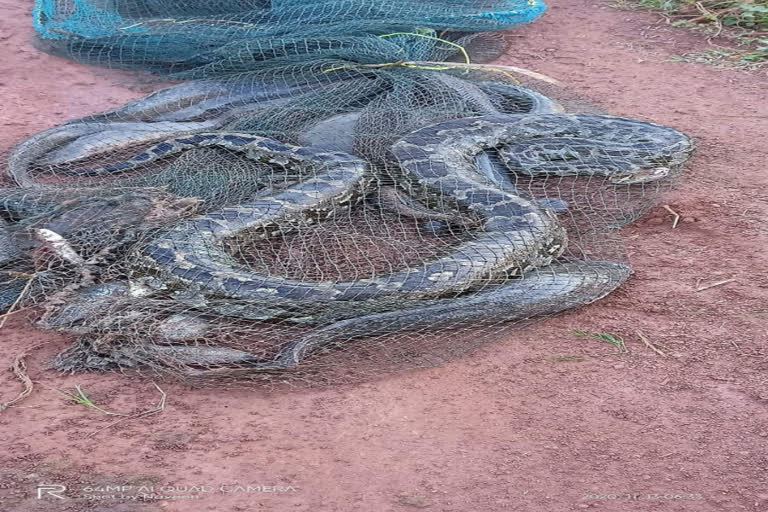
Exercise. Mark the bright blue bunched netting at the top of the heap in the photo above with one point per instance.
(221, 37)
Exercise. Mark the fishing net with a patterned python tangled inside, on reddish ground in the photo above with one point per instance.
(335, 190)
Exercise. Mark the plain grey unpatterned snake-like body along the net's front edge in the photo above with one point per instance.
(539, 292)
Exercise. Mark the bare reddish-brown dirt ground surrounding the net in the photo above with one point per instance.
(519, 425)
